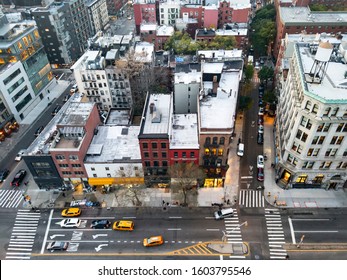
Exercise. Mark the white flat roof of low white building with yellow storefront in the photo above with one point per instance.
(114, 144)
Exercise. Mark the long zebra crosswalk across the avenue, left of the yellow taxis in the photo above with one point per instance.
(23, 235)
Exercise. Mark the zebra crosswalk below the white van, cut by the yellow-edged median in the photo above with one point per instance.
(233, 232)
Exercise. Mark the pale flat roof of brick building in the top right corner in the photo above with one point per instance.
(296, 15)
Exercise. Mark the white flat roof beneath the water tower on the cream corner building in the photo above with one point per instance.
(333, 88)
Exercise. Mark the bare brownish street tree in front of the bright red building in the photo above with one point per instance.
(185, 178)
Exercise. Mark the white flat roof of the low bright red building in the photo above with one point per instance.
(184, 132)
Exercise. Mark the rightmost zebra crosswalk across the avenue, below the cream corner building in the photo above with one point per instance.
(275, 234)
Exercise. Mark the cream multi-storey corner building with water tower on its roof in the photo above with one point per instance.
(311, 122)
